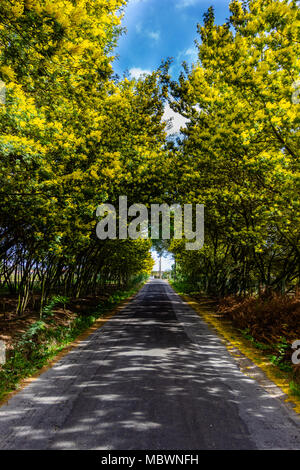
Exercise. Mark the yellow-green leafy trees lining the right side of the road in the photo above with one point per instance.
(240, 151)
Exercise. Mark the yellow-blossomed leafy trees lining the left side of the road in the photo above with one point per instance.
(72, 136)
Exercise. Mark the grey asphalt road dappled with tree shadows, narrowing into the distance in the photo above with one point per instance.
(154, 377)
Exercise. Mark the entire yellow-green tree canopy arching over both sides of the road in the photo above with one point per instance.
(73, 135)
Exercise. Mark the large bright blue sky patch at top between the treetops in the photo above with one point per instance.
(158, 29)
